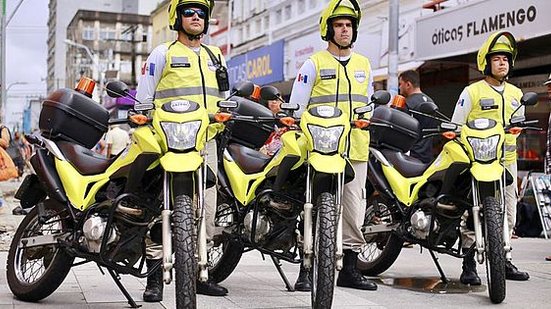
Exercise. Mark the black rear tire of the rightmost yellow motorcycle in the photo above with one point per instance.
(387, 244)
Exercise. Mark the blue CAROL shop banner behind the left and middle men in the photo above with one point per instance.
(261, 66)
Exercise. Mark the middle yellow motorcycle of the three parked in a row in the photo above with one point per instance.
(291, 201)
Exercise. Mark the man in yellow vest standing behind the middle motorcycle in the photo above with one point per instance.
(337, 76)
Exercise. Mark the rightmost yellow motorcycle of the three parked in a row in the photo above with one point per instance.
(424, 203)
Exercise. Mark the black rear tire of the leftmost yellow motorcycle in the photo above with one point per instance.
(54, 263)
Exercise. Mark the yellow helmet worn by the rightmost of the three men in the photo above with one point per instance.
(498, 43)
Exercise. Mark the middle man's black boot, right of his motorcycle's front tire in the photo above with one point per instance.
(350, 276)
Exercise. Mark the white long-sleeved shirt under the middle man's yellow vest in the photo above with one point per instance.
(302, 89)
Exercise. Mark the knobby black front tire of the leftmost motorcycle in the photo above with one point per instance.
(184, 243)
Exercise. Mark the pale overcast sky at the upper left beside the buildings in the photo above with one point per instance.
(26, 51)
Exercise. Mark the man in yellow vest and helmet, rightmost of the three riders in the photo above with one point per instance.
(496, 99)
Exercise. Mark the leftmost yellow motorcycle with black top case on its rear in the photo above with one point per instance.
(102, 210)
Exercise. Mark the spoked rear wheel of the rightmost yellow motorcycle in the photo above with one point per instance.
(381, 249)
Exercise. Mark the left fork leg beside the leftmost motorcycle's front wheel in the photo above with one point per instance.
(166, 213)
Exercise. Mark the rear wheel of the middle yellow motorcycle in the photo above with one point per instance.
(226, 252)
